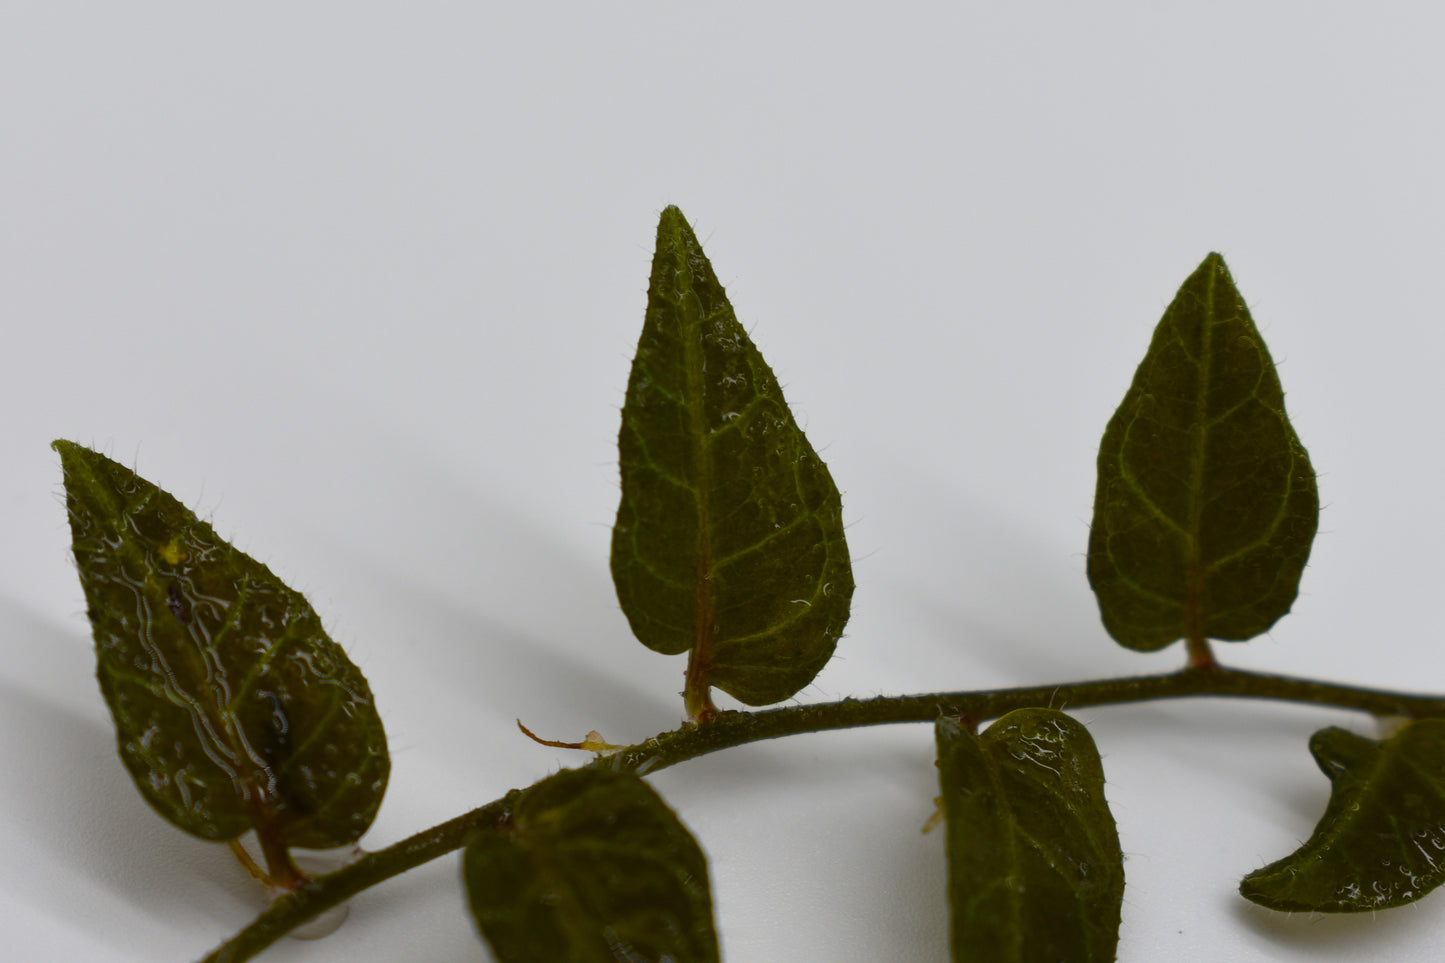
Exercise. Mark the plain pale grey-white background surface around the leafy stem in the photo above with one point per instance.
(363, 287)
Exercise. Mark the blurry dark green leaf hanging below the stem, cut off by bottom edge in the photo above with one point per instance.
(593, 867)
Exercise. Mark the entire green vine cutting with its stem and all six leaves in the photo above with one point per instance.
(236, 715)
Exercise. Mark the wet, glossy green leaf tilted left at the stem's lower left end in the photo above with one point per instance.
(233, 709)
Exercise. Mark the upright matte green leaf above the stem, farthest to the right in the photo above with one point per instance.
(1206, 505)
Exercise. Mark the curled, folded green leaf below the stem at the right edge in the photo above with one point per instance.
(1382, 839)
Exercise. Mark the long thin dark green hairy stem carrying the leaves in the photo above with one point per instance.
(730, 729)
